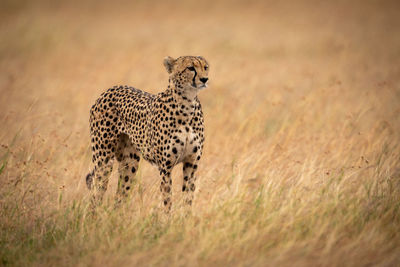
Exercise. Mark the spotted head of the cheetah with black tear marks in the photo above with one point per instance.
(188, 72)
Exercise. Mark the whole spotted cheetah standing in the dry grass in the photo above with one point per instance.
(165, 129)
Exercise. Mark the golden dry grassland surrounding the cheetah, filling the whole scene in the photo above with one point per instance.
(301, 164)
